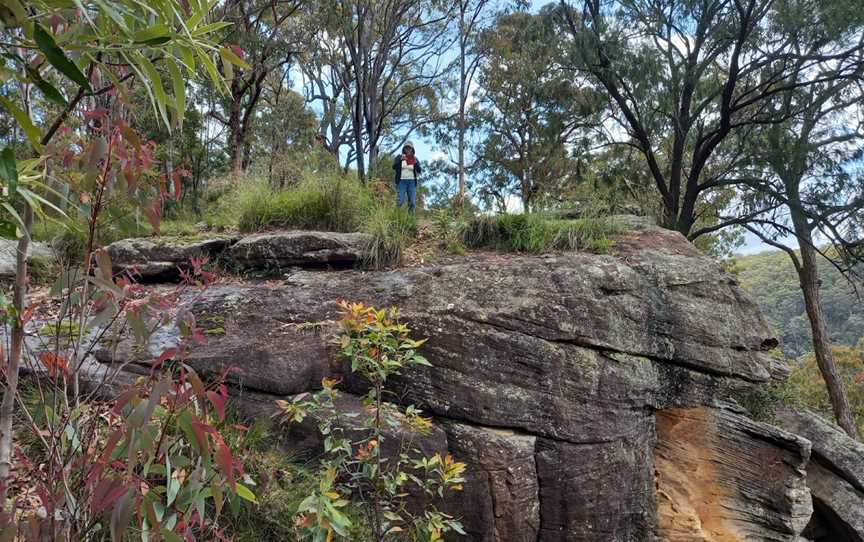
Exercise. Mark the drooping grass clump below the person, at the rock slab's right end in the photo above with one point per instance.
(391, 230)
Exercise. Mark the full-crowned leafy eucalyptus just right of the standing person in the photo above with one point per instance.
(528, 112)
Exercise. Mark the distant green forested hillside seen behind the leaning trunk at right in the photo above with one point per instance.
(771, 279)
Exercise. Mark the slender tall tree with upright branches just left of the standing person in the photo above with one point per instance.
(394, 51)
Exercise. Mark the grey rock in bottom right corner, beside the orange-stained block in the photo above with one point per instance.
(835, 476)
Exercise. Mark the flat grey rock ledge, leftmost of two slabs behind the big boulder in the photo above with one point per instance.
(161, 258)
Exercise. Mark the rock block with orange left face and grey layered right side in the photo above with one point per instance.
(712, 487)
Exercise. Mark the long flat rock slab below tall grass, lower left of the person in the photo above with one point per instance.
(273, 251)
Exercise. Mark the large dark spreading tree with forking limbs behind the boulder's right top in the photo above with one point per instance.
(683, 77)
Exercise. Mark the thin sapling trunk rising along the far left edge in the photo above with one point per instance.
(10, 390)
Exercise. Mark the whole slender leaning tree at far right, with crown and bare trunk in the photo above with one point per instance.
(804, 186)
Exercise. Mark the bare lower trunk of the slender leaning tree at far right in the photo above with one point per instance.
(808, 276)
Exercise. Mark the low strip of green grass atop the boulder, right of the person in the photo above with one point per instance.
(538, 233)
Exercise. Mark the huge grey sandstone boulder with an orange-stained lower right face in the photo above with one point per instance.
(585, 392)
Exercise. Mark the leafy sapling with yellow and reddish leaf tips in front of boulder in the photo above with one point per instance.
(373, 459)
